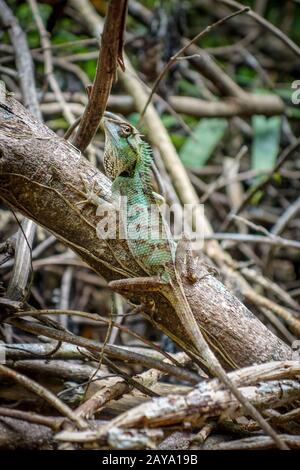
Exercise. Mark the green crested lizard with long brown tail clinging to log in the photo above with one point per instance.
(127, 161)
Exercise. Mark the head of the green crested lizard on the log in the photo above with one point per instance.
(122, 146)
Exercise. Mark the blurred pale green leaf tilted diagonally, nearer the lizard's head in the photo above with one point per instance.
(198, 148)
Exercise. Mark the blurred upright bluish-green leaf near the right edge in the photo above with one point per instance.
(265, 144)
